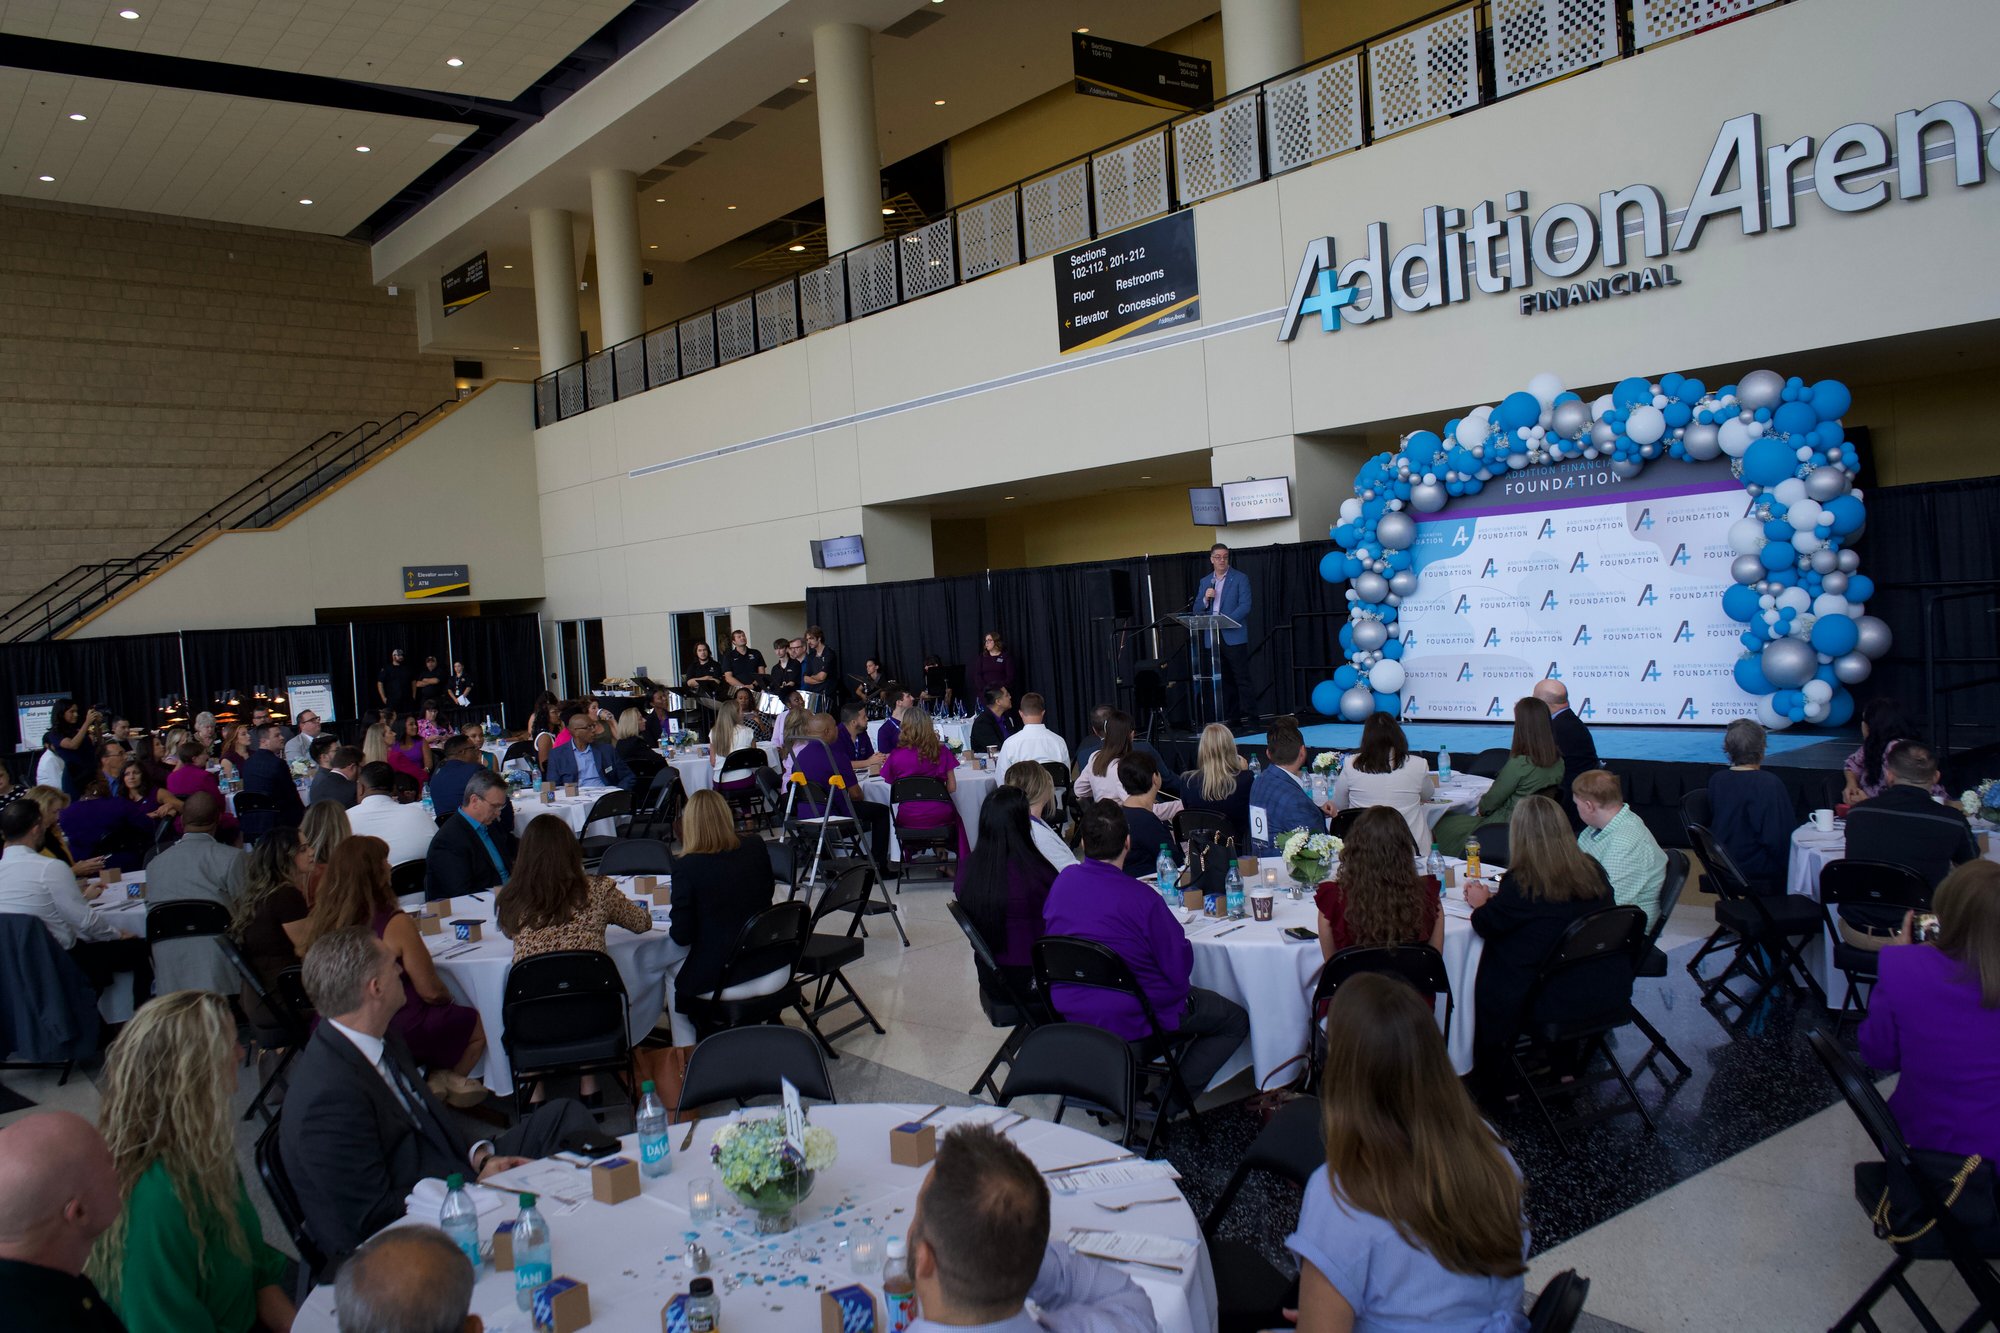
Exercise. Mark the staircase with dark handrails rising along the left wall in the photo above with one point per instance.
(55, 609)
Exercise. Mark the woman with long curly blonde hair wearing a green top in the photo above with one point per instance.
(187, 1254)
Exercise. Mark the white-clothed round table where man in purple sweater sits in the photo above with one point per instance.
(1273, 976)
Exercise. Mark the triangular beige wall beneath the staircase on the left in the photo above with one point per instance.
(457, 493)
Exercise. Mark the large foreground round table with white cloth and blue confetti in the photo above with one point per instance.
(633, 1256)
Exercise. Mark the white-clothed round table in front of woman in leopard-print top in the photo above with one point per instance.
(477, 974)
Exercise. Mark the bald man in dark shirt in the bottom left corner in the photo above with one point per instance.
(57, 1196)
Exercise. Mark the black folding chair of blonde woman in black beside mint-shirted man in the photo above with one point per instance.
(1607, 940)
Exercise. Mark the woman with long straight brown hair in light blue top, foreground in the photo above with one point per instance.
(1415, 1220)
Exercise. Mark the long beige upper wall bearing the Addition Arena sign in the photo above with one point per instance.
(731, 531)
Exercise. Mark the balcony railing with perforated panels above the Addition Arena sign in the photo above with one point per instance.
(1431, 69)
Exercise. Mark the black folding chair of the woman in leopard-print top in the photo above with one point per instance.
(563, 1014)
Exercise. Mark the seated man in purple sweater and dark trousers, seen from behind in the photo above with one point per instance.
(1099, 902)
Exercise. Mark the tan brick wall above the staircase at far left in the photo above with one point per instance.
(153, 365)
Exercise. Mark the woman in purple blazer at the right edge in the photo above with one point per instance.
(1935, 1016)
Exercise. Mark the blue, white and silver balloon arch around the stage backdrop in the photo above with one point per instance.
(1799, 589)
